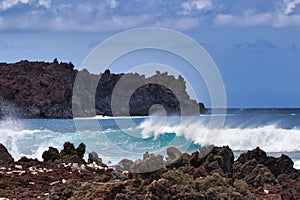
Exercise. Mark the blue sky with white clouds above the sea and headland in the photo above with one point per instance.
(255, 44)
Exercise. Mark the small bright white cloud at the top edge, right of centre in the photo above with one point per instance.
(196, 5)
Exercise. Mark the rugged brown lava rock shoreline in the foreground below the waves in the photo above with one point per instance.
(210, 173)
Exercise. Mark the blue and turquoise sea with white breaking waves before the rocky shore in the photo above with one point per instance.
(276, 131)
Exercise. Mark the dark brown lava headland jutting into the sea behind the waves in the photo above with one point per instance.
(44, 90)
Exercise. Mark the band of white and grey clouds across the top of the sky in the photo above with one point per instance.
(116, 15)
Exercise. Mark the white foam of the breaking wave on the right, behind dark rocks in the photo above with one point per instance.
(269, 138)
